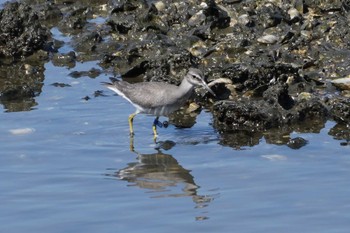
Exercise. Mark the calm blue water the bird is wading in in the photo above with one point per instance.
(67, 166)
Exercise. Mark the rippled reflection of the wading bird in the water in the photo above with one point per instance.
(162, 175)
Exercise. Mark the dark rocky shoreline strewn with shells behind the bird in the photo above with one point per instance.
(288, 64)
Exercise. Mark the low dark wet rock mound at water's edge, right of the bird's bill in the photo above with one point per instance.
(276, 110)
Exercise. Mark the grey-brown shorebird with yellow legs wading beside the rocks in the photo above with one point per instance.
(157, 98)
